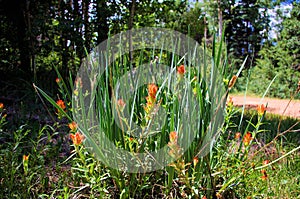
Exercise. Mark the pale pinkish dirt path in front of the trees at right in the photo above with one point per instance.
(276, 106)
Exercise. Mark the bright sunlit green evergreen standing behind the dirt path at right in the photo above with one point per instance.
(280, 56)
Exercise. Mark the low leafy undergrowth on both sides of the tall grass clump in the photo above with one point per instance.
(53, 169)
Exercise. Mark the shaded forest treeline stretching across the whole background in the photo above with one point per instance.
(37, 35)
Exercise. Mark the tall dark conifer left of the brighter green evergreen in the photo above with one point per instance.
(245, 22)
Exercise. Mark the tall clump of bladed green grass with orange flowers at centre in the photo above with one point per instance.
(151, 120)
